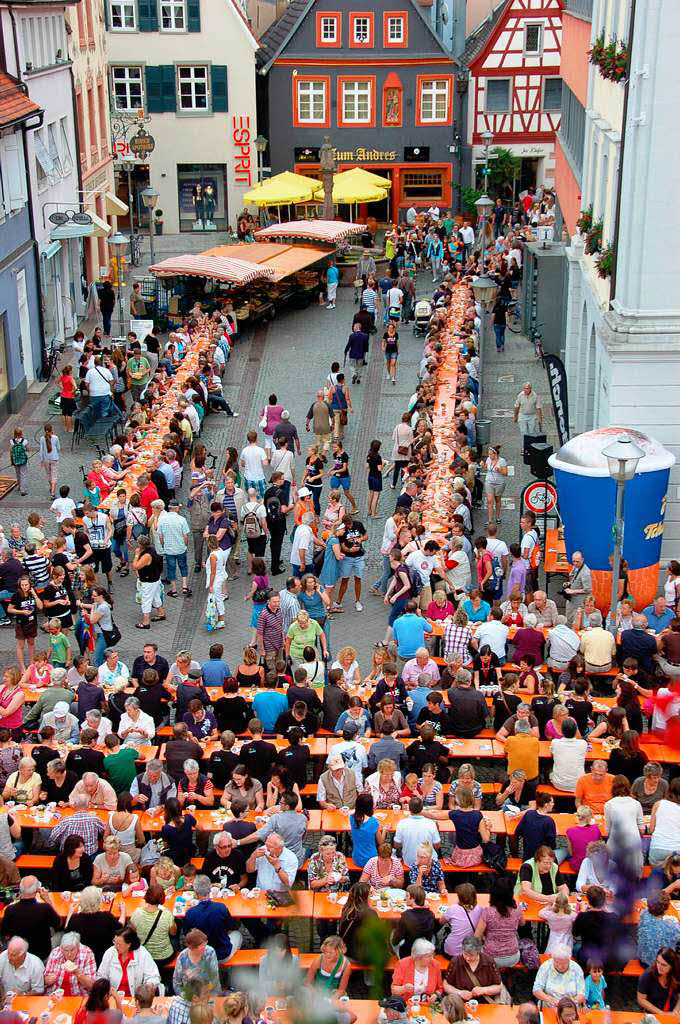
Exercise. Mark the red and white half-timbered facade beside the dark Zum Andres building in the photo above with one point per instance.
(515, 87)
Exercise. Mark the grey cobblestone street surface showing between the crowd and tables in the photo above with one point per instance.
(291, 357)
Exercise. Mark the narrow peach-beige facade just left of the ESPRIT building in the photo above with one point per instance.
(89, 56)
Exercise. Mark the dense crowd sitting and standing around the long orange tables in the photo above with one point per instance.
(126, 756)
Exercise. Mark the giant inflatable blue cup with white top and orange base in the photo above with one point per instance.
(587, 499)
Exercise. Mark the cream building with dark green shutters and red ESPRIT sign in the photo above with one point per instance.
(167, 68)
